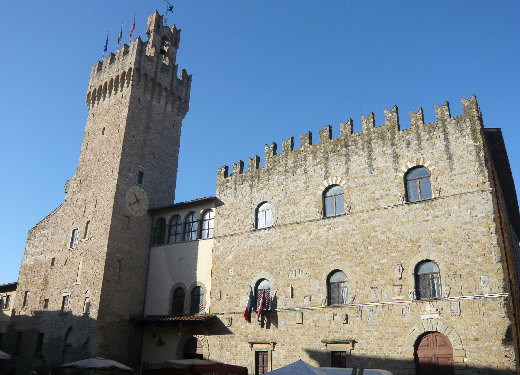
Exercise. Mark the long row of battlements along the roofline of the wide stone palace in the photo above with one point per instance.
(389, 131)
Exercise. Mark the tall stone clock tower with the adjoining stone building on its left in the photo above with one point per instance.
(84, 269)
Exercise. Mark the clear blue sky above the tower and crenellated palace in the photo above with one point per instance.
(262, 71)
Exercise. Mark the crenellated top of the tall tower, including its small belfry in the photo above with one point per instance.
(149, 65)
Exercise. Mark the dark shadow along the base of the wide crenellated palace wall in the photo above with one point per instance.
(399, 366)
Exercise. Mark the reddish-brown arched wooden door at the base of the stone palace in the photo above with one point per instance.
(434, 355)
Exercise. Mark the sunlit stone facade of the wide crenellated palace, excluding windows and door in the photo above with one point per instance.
(379, 231)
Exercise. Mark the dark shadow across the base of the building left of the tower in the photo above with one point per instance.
(65, 338)
